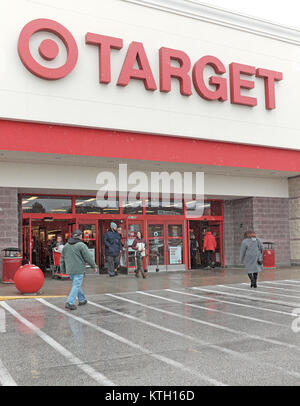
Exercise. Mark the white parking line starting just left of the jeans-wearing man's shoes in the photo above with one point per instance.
(131, 344)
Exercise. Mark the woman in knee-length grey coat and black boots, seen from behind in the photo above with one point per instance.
(251, 254)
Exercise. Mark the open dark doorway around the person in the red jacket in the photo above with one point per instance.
(196, 233)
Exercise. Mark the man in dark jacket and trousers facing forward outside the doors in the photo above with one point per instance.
(113, 247)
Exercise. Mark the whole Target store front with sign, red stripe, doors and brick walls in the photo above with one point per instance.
(161, 86)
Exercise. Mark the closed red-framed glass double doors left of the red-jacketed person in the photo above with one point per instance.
(165, 241)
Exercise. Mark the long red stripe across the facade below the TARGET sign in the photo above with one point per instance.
(57, 139)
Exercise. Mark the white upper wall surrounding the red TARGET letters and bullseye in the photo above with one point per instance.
(80, 100)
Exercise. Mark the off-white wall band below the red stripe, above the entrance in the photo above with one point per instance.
(78, 178)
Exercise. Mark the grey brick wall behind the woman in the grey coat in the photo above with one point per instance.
(267, 216)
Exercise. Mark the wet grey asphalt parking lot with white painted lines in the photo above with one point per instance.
(203, 336)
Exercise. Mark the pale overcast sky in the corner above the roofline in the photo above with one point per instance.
(285, 12)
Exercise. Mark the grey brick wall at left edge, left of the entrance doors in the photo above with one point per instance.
(10, 231)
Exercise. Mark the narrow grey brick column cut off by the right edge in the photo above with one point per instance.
(294, 218)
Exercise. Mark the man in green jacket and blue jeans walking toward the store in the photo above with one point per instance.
(73, 259)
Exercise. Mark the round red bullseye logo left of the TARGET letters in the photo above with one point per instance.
(48, 49)
